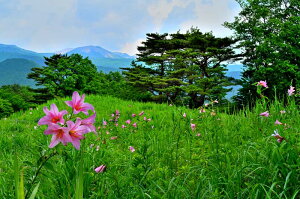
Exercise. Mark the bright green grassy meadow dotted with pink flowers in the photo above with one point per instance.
(235, 156)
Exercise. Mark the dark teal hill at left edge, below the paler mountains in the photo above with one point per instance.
(14, 71)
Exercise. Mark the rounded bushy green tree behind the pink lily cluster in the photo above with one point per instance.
(64, 74)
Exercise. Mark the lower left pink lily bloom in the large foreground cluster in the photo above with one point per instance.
(59, 135)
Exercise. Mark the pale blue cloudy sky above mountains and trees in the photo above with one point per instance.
(117, 25)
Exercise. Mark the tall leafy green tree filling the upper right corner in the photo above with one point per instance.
(269, 34)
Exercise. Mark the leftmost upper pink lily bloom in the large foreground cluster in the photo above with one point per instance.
(53, 116)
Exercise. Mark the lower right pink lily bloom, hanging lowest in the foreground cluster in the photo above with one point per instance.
(76, 131)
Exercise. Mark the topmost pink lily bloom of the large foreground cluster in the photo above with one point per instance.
(78, 105)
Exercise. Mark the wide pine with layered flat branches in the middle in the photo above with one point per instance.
(185, 67)
